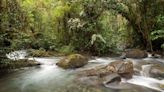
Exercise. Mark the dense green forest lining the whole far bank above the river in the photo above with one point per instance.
(95, 26)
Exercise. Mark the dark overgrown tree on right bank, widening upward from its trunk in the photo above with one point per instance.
(141, 15)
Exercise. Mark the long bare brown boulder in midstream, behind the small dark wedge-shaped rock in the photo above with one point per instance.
(123, 68)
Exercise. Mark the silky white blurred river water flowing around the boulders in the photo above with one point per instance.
(50, 78)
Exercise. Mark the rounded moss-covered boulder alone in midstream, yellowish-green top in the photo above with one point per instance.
(73, 61)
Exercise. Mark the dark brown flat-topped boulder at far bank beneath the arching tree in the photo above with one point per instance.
(135, 53)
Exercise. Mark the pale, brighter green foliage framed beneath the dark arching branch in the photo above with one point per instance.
(115, 33)
